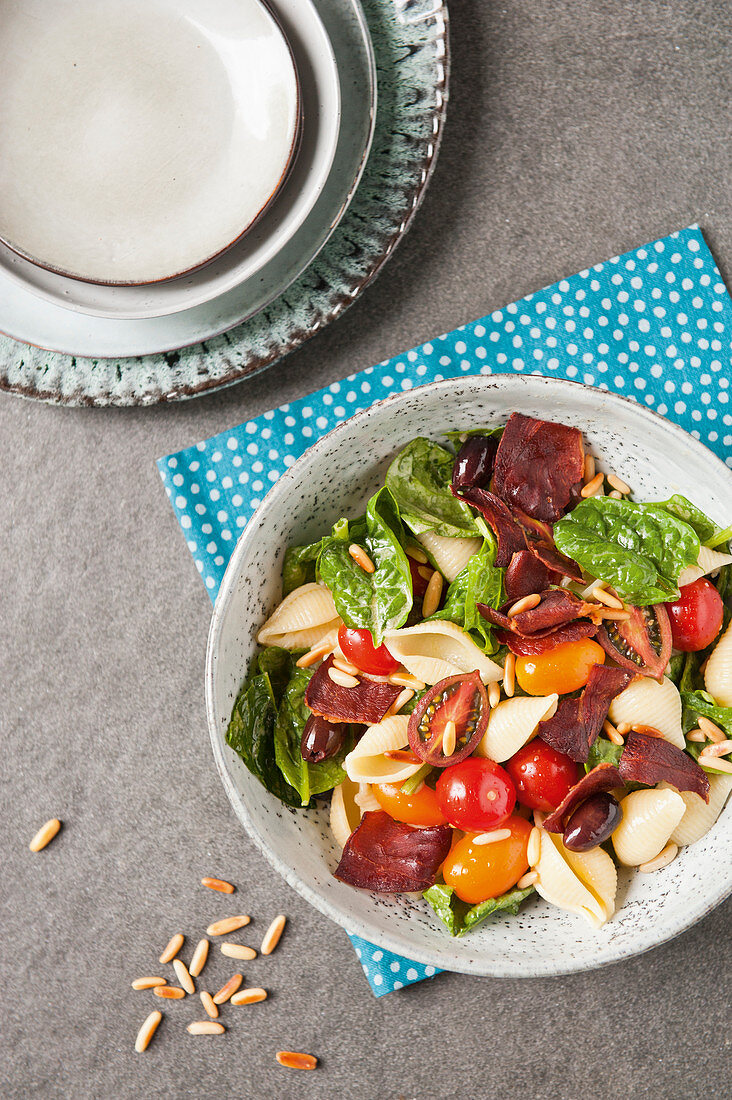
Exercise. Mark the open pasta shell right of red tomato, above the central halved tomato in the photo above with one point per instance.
(432, 652)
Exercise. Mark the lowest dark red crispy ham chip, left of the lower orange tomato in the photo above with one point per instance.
(388, 856)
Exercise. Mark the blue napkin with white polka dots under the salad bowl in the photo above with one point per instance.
(654, 325)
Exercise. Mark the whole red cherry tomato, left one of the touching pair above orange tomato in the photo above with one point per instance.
(476, 795)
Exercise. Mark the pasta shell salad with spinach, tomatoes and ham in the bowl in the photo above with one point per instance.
(508, 676)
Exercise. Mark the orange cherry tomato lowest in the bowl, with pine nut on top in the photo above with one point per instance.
(478, 873)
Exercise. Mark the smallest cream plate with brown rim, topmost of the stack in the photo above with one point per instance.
(140, 140)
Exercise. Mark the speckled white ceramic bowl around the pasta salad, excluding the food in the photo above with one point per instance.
(334, 479)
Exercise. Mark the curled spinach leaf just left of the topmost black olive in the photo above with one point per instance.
(420, 480)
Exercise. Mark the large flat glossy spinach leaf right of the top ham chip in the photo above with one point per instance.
(639, 548)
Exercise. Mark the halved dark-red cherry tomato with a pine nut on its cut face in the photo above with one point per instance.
(461, 700)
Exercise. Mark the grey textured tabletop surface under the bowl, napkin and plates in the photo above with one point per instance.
(576, 131)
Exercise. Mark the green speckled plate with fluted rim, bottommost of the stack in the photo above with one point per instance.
(410, 43)
